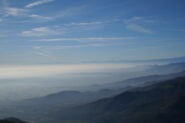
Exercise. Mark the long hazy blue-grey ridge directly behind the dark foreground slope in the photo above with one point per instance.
(38, 107)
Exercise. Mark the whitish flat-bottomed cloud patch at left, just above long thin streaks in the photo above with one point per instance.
(40, 31)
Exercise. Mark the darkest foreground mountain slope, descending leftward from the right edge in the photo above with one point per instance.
(159, 103)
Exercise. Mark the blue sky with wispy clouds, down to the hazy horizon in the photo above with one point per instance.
(66, 31)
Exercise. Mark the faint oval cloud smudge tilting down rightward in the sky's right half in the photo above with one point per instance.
(138, 28)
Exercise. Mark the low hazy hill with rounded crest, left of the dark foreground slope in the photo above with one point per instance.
(36, 108)
